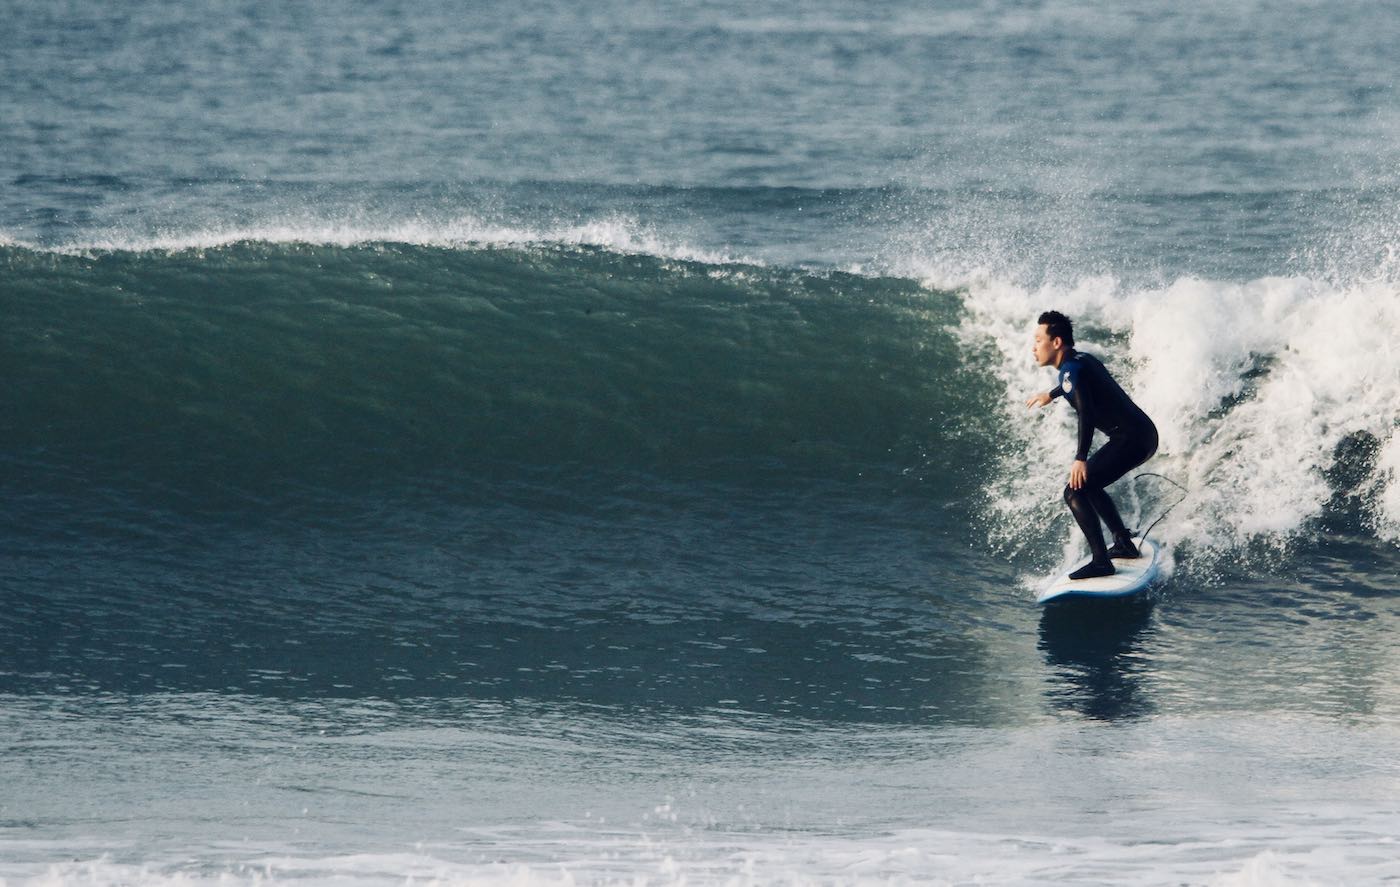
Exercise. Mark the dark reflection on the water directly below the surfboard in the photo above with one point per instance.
(1094, 651)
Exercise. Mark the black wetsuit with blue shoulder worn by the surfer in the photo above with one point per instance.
(1102, 405)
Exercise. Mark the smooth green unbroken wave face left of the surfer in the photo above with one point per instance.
(254, 364)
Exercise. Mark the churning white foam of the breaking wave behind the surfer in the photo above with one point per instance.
(1252, 387)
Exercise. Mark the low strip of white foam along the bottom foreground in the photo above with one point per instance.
(904, 857)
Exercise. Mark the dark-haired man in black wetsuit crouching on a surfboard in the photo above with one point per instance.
(1102, 405)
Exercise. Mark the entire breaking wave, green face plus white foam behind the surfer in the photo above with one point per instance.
(243, 370)
